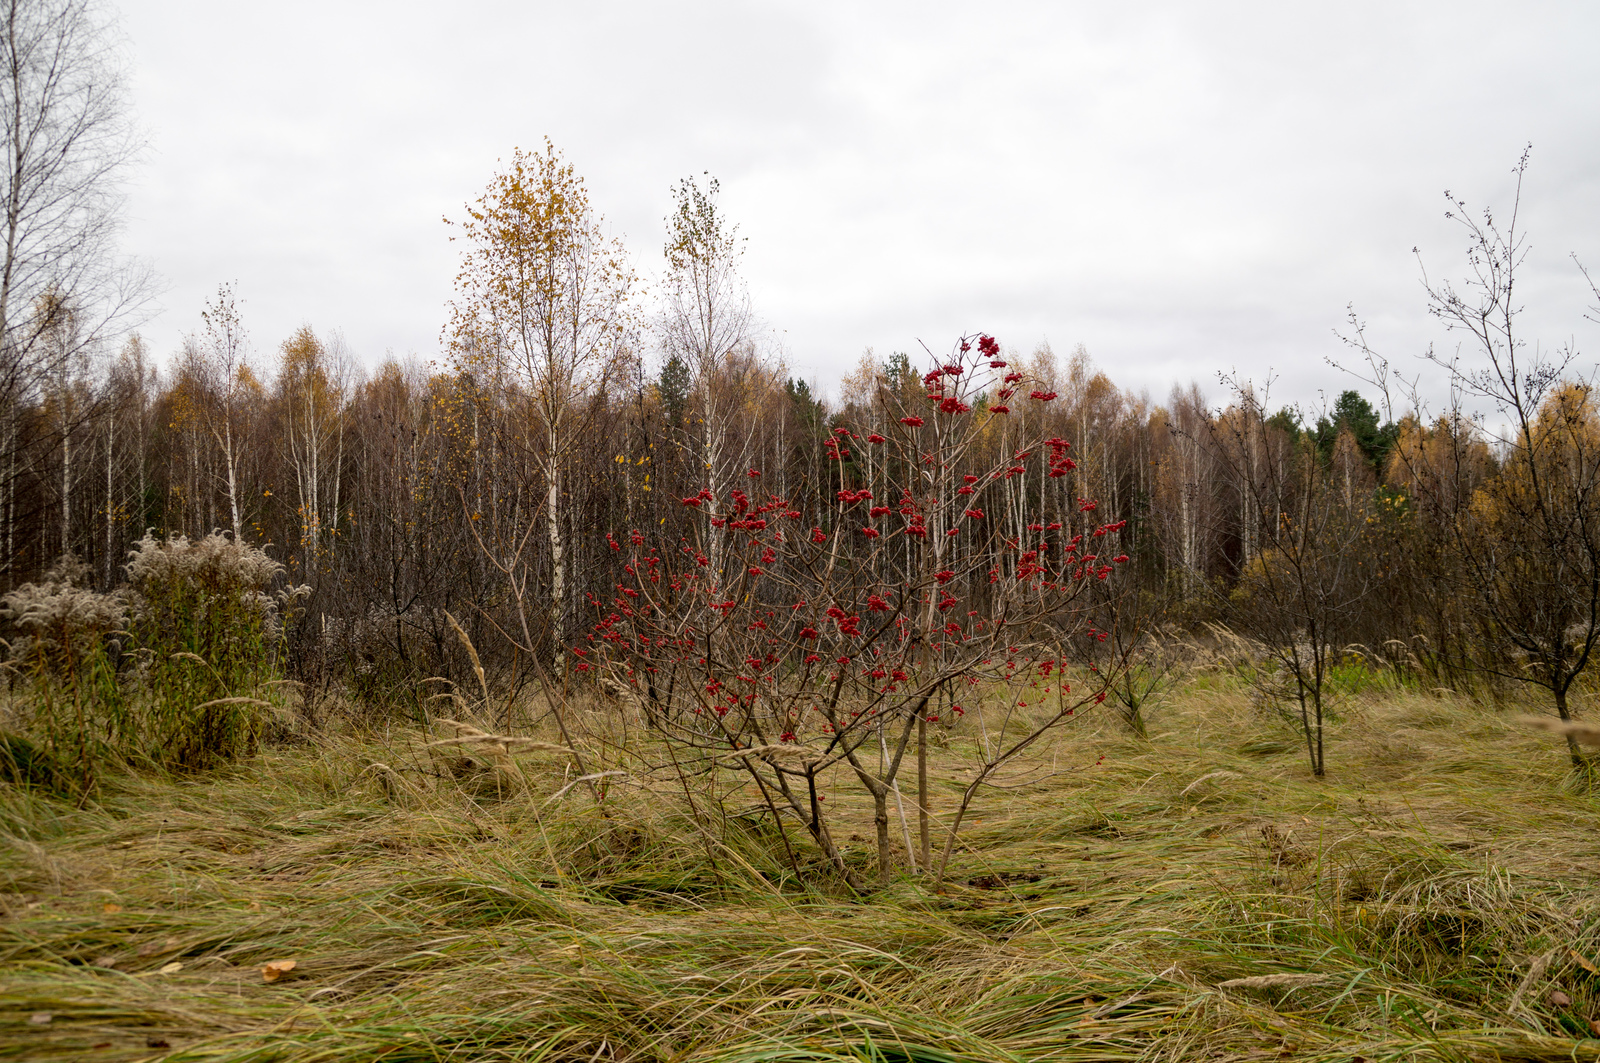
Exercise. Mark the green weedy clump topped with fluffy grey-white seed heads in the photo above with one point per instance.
(175, 670)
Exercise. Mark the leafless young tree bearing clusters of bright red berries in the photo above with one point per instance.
(841, 633)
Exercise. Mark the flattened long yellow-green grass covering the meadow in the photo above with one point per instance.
(1196, 897)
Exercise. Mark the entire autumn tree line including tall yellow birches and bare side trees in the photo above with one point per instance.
(566, 411)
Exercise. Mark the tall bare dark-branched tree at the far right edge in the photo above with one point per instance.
(1527, 542)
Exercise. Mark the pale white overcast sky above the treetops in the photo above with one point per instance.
(1182, 188)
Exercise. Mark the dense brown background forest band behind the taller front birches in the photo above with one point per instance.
(409, 491)
